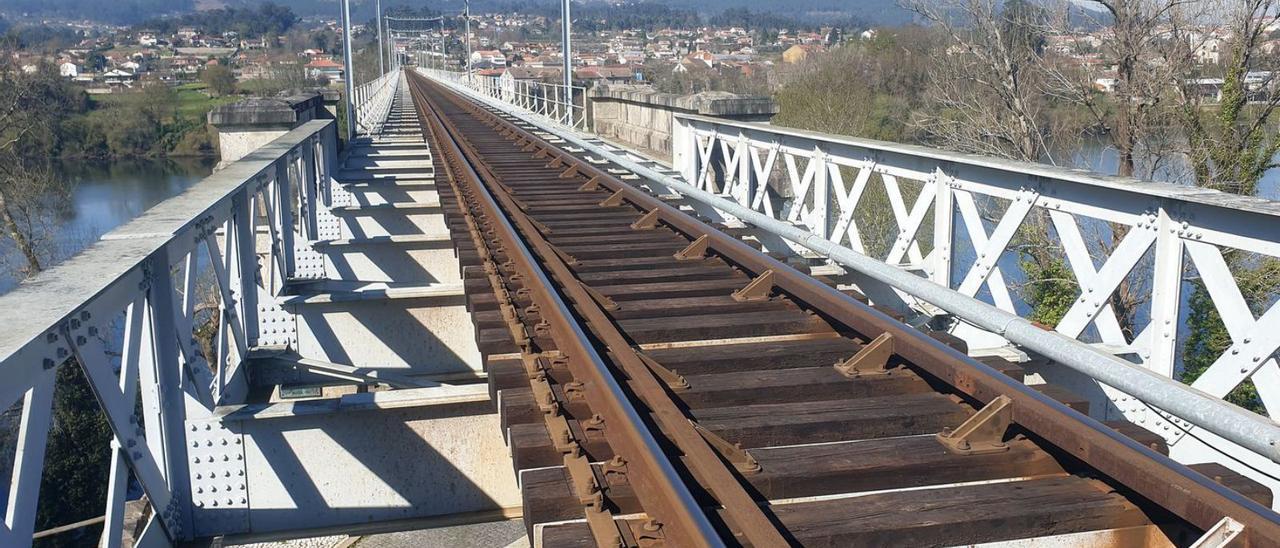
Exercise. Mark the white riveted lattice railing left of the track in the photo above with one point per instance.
(134, 310)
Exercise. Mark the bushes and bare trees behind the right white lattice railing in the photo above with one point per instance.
(990, 88)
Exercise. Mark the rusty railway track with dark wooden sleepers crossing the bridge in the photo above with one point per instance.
(664, 383)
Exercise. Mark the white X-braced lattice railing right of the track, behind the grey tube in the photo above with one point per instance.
(956, 221)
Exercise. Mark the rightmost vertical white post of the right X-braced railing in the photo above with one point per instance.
(1165, 296)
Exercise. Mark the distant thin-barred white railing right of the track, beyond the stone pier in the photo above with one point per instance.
(554, 102)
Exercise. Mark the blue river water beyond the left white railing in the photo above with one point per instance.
(107, 194)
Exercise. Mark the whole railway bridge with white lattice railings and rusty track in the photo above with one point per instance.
(479, 310)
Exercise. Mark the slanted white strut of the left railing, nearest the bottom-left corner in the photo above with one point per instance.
(29, 463)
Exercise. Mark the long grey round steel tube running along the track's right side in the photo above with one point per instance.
(1241, 427)
